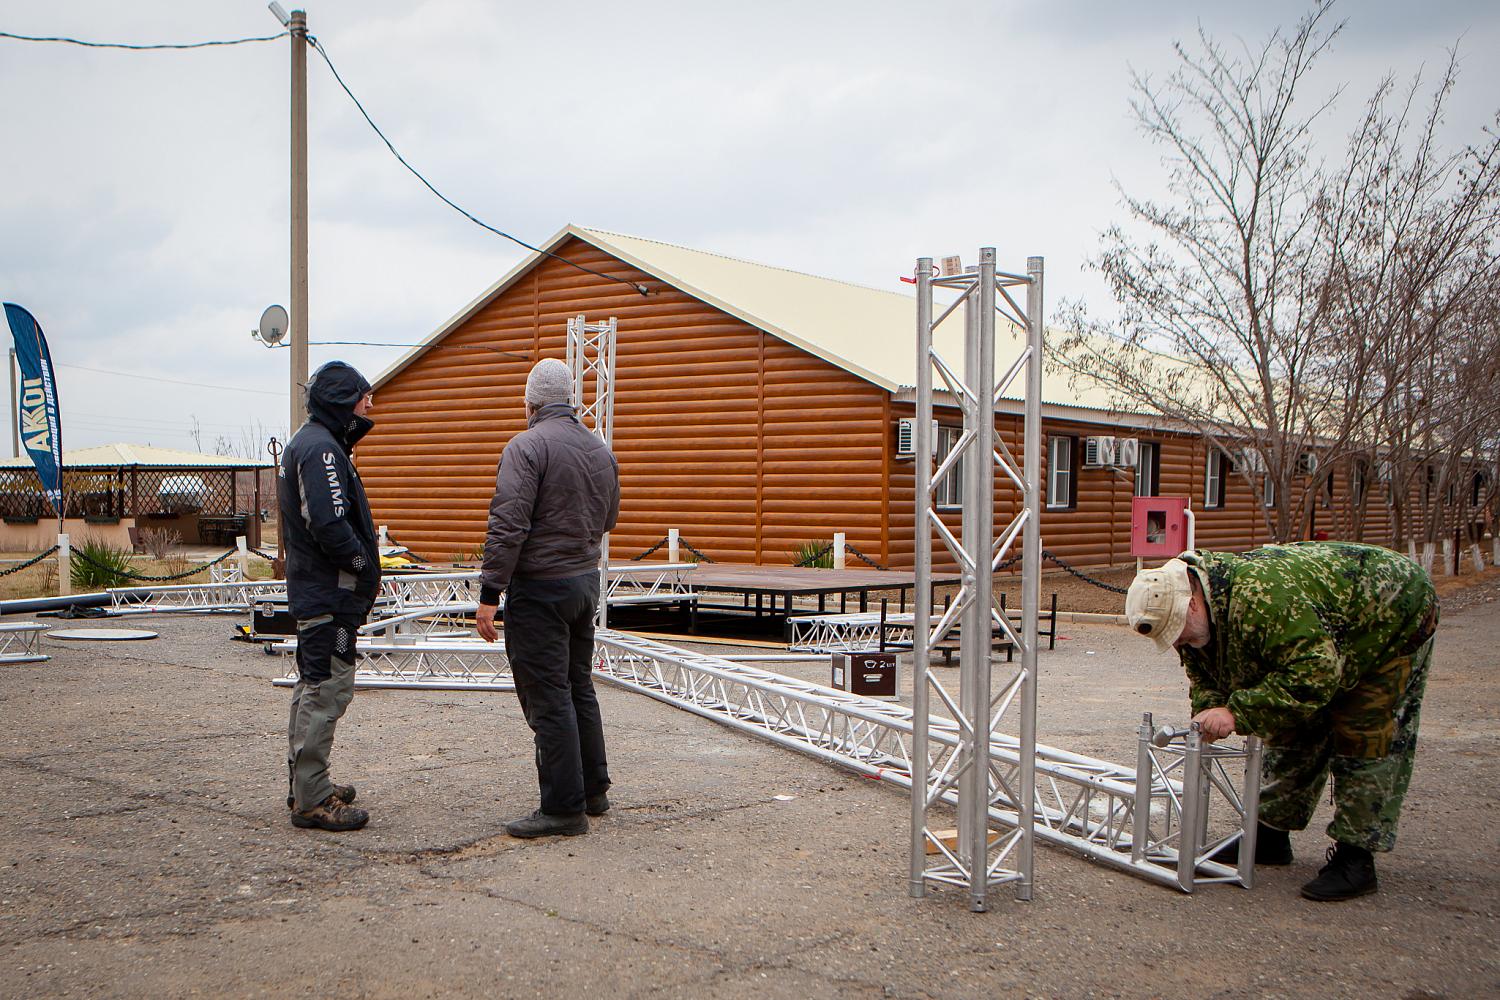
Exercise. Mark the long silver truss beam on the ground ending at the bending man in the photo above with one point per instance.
(1096, 809)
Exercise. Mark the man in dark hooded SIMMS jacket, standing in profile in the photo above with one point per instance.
(332, 578)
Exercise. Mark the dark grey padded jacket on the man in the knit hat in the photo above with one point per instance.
(557, 493)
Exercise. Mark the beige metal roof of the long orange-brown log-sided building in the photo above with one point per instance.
(868, 332)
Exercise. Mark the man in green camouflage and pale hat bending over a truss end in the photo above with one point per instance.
(1322, 650)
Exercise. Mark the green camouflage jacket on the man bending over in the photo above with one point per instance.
(1294, 627)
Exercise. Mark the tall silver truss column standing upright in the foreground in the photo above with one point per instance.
(980, 858)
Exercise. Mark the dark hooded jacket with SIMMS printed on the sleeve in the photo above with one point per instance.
(326, 528)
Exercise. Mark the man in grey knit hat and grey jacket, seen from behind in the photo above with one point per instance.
(557, 493)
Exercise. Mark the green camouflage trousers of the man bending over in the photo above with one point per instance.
(1370, 762)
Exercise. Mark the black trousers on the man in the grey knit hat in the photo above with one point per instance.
(550, 641)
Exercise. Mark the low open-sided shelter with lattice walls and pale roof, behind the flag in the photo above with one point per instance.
(116, 491)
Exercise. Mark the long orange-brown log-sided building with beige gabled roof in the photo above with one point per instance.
(757, 410)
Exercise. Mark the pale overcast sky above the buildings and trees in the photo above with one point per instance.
(145, 197)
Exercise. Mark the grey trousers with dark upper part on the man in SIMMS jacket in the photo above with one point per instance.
(325, 690)
